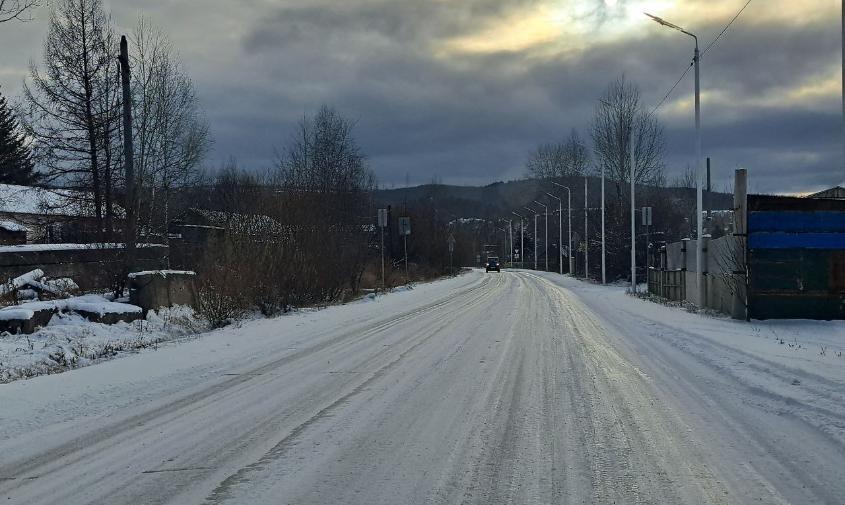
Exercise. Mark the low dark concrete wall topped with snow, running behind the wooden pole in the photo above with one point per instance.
(91, 267)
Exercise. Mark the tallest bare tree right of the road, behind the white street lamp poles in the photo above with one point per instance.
(619, 120)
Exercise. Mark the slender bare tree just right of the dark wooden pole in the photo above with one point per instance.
(171, 134)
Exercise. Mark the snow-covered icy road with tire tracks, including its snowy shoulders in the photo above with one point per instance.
(489, 389)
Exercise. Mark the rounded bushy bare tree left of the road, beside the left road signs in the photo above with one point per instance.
(328, 189)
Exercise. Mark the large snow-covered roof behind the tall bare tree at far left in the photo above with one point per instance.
(41, 201)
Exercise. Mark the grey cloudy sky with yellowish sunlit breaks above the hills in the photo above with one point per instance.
(462, 90)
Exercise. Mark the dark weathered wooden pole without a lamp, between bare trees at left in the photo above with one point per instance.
(128, 155)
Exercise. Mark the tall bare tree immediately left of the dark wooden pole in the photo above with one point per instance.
(71, 108)
